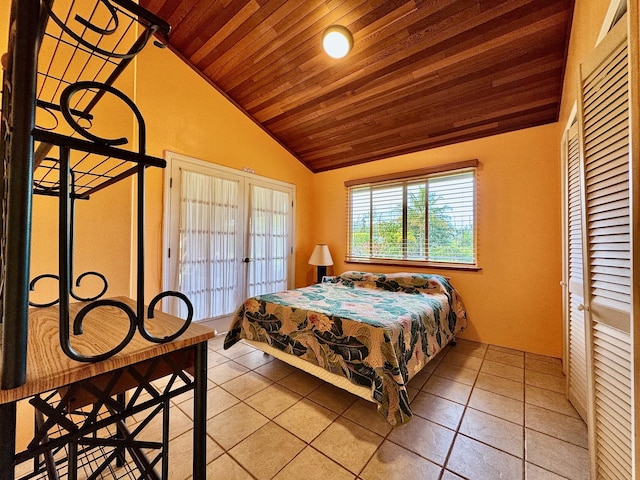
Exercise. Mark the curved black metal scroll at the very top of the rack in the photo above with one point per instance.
(113, 12)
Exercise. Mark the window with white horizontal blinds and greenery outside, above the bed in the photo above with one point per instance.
(419, 216)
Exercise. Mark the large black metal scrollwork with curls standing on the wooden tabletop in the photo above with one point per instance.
(65, 189)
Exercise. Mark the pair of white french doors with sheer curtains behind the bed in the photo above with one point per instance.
(228, 235)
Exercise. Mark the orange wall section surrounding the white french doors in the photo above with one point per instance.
(184, 114)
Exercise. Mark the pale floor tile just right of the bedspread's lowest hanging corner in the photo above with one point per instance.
(425, 438)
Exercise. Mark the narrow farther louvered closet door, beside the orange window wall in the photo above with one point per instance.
(577, 358)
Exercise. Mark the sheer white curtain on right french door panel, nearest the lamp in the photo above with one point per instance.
(268, 240)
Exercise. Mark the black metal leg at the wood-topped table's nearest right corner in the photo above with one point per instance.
(200, 413)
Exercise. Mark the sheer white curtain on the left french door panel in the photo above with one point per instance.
(208, 266)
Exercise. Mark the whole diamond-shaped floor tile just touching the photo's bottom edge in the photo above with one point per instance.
(267, 450)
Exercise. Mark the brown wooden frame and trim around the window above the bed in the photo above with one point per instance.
(403, 179)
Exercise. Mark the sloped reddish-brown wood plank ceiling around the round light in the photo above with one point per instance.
(421, 74)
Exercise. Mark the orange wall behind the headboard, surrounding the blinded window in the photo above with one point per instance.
(515, 300)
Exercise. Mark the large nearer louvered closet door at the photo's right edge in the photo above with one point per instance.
(605, 116)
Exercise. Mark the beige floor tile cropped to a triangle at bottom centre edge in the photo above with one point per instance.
(312, 465)
